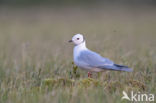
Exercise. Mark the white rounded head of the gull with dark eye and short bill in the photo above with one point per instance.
(77, 39)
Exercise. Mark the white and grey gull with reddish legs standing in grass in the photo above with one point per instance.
(92, 61)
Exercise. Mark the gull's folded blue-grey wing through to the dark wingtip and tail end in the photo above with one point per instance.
(94, 60)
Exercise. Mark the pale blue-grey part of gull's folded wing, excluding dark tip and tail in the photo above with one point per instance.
(93, 59)
